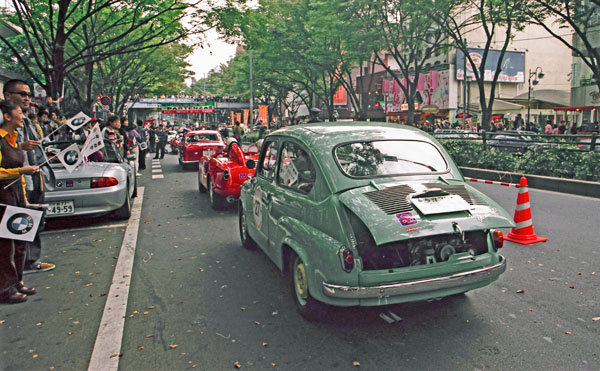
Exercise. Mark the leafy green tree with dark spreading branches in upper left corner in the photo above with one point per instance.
(57, 35)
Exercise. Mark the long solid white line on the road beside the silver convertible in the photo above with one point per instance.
(105, 355)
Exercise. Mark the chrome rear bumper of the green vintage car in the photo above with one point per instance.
(416, 287)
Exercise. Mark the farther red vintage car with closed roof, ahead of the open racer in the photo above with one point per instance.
(198, 143)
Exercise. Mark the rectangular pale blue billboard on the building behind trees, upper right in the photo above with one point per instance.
(512, 68)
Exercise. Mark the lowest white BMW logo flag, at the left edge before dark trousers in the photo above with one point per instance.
(19, 223)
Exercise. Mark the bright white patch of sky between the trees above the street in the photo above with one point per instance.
(212, 55)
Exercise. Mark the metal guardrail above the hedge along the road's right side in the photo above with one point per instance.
(583, 142)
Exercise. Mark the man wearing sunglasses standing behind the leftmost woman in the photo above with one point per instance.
(18, 91)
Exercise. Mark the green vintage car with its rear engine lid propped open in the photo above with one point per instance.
(363, 214)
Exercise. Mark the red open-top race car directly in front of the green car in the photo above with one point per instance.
(223, 174)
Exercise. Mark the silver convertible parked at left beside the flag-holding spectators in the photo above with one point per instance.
(102, 185)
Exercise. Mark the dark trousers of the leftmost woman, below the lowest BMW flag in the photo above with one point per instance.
(12, 261)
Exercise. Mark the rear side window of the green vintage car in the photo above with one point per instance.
(296, 170)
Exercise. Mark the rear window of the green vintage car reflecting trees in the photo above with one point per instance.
(390, 157)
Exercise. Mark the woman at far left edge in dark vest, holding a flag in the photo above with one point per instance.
(12, 158)
